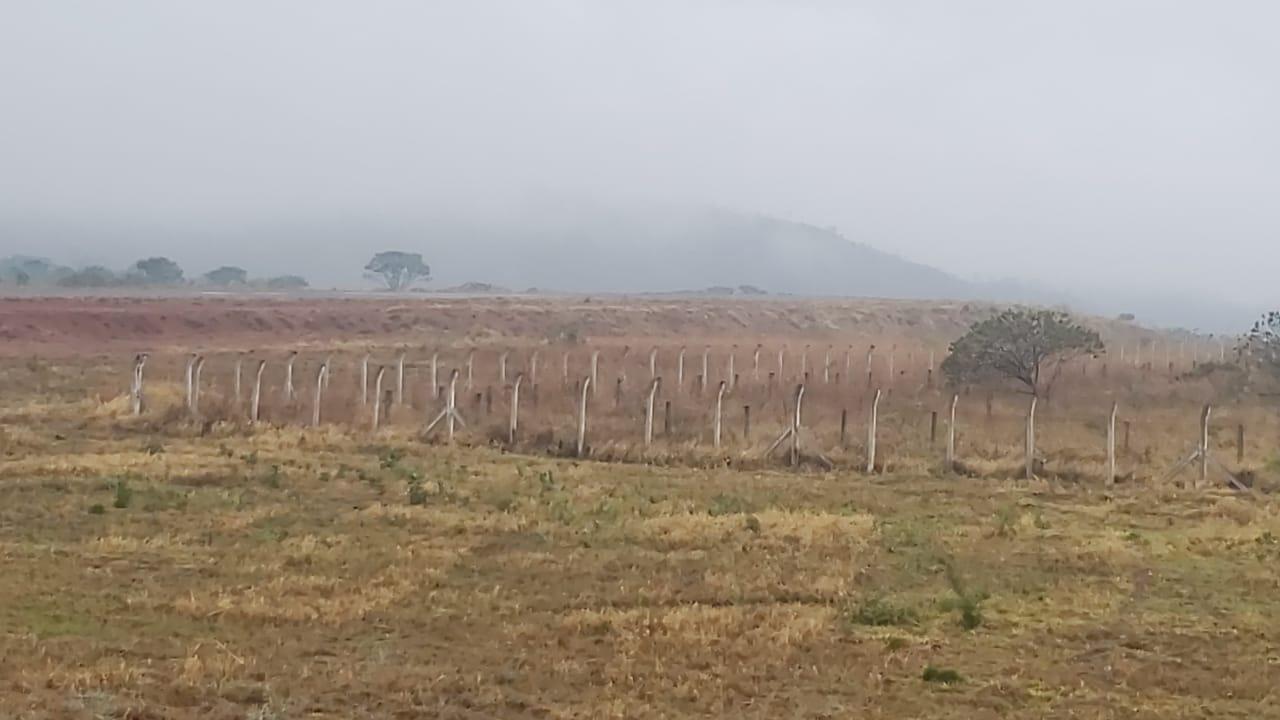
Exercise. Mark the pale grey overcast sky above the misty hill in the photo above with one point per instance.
(1076, 143)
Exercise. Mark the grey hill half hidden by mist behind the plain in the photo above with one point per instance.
(679, 252)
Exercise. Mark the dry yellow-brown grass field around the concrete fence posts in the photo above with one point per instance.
(167, 567)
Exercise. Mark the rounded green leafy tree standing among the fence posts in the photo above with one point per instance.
(1027, 348)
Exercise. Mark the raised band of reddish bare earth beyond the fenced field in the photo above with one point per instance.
(57, 326)
